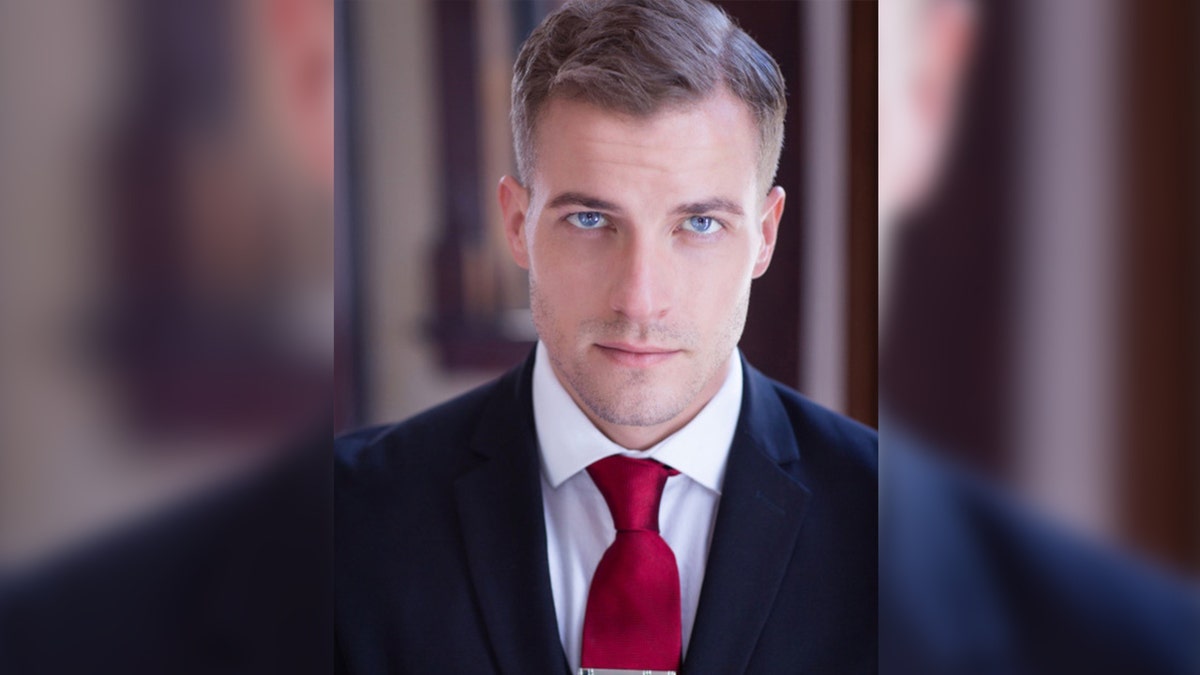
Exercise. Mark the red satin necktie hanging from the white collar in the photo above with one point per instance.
(633, 617)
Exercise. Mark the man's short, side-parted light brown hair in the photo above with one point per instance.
(640, 57)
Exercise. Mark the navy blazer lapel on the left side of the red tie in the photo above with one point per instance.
(505, 534)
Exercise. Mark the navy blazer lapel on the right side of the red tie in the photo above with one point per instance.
(758, 524)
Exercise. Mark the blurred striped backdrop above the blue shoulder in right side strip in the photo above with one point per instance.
(1041, 315)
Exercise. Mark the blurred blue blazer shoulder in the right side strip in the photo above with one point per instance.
(975, 583)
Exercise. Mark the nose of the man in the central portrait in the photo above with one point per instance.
(643, 283)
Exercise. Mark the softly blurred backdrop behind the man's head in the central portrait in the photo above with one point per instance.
(429, 301)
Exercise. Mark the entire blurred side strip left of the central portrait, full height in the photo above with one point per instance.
(166, 336)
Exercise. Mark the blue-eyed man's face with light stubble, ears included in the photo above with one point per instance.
(641, 237)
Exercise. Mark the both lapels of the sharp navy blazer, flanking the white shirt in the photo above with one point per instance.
(500, 503)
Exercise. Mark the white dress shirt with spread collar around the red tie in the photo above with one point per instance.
(579, 527)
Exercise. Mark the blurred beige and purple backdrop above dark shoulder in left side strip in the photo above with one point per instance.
(166, 255)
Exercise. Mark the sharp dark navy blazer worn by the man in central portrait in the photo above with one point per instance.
(441, 546)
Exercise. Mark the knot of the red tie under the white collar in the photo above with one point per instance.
(633, 489)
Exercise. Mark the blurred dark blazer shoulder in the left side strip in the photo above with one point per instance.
(236, 582)
